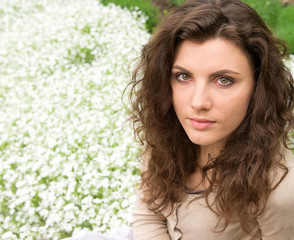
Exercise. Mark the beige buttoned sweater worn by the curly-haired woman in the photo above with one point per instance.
(196, 221)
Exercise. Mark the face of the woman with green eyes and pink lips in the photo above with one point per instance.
(212, 83)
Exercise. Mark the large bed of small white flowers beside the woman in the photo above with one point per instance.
(67, 153)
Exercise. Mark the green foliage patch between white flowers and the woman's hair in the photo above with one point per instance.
(145, 6)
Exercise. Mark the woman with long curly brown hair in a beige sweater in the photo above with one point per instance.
(213, 107)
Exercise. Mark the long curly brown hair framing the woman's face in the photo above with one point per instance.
(241, 172)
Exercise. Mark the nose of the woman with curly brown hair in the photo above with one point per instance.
(201, 99)
